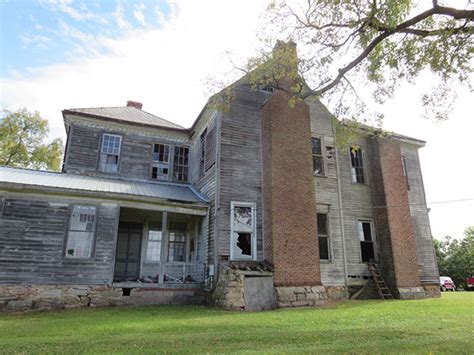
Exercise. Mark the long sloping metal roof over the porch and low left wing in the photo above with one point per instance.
(15, 178)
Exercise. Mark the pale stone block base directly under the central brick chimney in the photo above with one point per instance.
(302, 296)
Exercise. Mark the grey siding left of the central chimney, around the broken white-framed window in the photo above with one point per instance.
(240, 162)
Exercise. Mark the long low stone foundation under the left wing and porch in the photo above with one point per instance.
(17, 298)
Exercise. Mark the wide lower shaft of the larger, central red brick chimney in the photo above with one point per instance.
(289, 207)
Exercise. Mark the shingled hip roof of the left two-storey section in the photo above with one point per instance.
(126, 114)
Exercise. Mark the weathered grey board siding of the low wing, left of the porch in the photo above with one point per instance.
(32, 238)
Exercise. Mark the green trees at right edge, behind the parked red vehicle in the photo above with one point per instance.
(456, 257)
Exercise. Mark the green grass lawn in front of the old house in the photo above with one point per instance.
(434, 325)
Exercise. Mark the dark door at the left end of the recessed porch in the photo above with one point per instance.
(127, 259)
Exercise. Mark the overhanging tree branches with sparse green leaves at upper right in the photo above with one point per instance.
(347, 48)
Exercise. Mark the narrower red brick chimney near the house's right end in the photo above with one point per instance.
(395, 235)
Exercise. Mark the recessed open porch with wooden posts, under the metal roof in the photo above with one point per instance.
(159, 249)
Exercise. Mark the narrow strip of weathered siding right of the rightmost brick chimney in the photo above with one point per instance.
(419, 212)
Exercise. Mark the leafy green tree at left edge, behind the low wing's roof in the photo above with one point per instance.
(22, 141)
